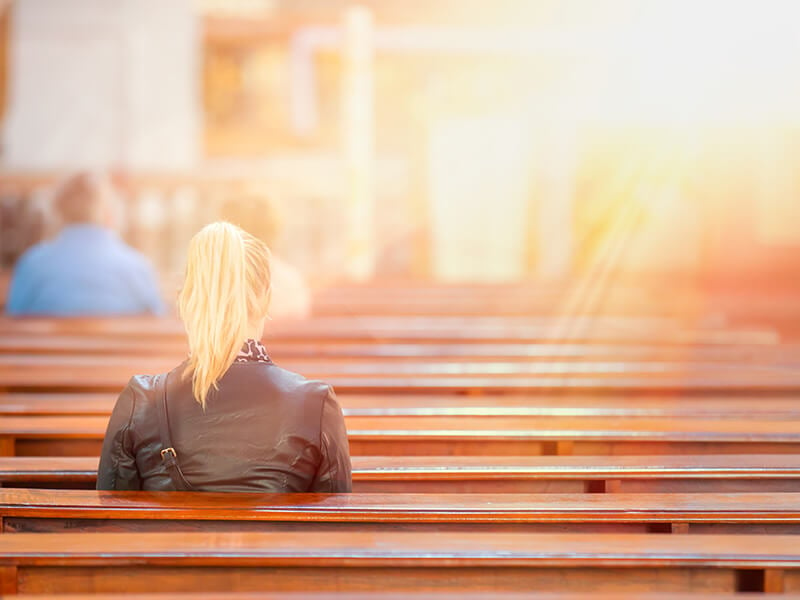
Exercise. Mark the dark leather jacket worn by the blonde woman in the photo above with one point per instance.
(265, 429)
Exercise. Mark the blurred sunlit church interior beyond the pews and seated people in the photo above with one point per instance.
(591, 147)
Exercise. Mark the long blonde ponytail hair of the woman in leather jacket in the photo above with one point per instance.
(226, 292)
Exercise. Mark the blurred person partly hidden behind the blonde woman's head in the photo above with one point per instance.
(291, 297)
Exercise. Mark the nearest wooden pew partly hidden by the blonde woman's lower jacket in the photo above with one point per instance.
(485, 474)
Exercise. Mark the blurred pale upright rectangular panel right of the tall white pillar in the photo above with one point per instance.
(479, 189)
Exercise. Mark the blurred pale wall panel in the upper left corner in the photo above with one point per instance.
(97, 83)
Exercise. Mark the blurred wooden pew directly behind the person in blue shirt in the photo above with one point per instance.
(414, 329)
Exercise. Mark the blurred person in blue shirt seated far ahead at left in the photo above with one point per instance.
(86, 270)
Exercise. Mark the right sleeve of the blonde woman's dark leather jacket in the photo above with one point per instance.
(334, 472)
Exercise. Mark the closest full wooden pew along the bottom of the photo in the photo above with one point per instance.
(403, 562)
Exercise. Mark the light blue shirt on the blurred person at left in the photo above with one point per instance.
(86, 270)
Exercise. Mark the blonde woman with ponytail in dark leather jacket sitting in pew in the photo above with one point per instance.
(228, 418)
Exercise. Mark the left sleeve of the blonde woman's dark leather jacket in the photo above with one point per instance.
(117, 469)
